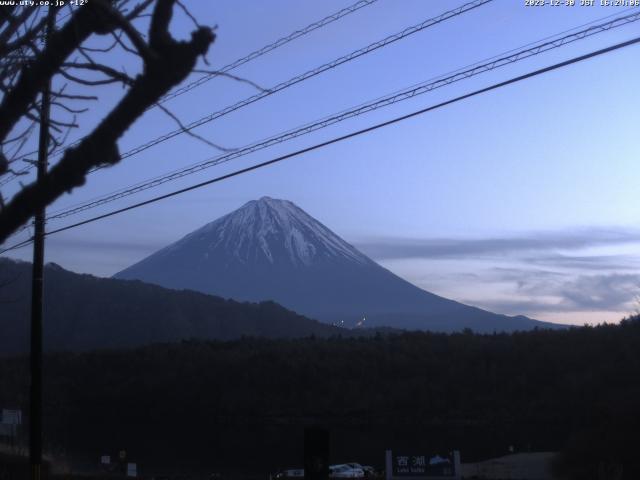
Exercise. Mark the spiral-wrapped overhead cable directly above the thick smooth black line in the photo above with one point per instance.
(399, 96)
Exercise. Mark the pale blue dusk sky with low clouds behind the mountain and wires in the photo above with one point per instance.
(522, 200)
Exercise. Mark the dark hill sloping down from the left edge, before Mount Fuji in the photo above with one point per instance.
(84, 312)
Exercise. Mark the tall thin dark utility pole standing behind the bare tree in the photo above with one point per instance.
(35, 406)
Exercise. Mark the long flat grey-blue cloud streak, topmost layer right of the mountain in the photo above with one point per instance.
(452, 248)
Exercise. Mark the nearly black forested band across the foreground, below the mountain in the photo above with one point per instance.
(576, 390)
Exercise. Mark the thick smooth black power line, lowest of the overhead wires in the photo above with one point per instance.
(317, 146)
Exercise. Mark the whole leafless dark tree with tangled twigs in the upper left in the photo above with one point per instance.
(27, 63)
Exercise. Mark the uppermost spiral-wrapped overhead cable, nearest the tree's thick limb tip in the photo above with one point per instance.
(227, 68)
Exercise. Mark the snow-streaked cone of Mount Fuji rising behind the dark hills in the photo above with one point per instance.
(271, 249)
